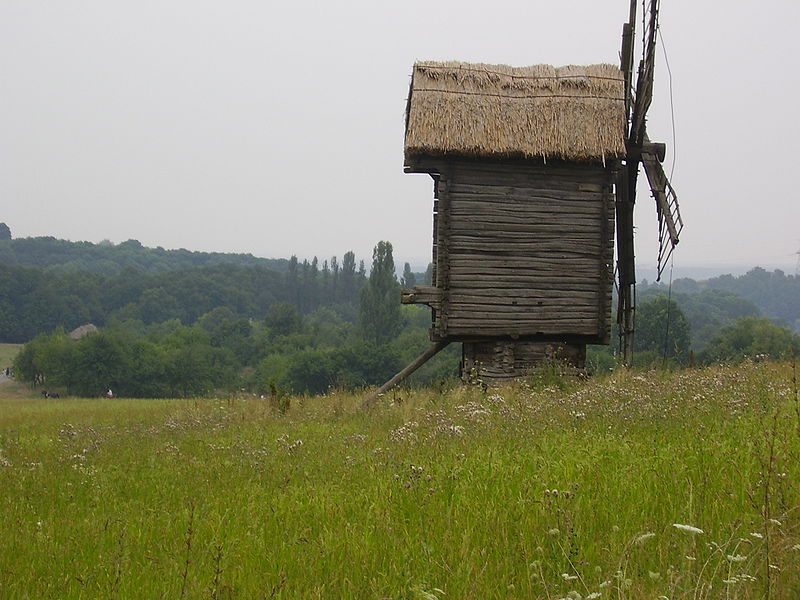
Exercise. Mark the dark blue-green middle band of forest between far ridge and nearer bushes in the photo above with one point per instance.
(34, 300)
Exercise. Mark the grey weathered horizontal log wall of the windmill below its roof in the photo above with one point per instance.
(522, 251)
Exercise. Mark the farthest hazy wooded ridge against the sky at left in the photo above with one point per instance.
(63, 256)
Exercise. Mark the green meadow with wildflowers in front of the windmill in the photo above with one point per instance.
(638, 486)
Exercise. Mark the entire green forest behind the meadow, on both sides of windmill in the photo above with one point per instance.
(180, 323)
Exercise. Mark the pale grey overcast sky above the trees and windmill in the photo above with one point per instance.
(276, 128)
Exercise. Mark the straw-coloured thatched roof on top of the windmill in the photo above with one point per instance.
(497, 111)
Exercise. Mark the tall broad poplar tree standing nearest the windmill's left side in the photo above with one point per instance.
(380, 298)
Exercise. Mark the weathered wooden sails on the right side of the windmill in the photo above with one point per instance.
(639, 149)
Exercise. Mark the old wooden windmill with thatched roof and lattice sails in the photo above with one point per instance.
(530, 167)
